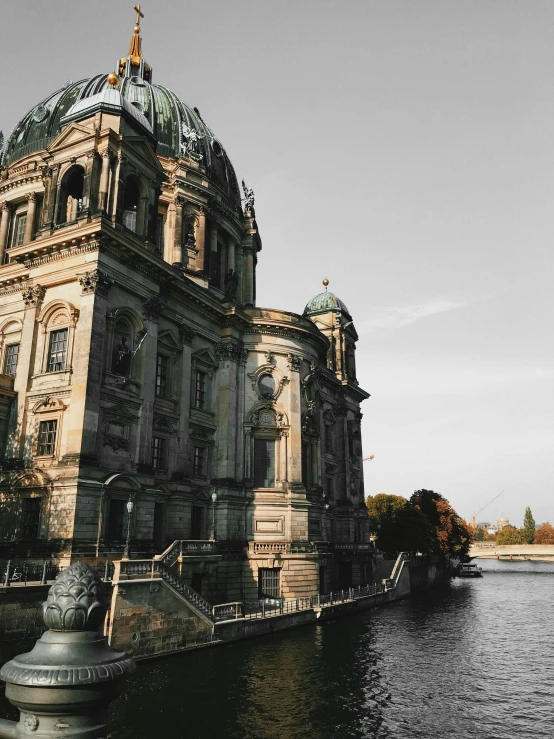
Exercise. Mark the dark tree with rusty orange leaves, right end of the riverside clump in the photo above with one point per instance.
(452, 534)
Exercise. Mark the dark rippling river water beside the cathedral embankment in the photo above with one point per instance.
(472, 659)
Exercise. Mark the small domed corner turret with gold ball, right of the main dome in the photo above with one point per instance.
(332, 318)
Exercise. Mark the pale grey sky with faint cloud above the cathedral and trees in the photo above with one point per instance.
(404, 150)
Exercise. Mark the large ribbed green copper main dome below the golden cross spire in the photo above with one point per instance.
(179, 129)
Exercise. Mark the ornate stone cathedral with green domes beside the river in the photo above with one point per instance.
(137, 366)
